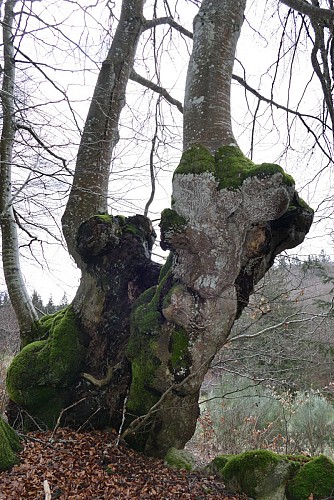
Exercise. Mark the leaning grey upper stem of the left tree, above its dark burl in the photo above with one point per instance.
(89, 193)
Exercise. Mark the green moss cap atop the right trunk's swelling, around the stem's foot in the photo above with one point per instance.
(229, 166)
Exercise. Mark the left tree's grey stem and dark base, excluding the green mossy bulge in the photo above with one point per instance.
(113, 253)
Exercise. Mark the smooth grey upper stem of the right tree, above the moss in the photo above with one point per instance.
(207, 109)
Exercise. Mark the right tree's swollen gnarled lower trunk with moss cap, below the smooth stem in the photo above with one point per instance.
(229, 219)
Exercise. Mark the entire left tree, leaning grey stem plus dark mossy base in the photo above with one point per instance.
(80, 353)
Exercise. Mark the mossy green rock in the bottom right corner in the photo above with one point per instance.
(314, 479)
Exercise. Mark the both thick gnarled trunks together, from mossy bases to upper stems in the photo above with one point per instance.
(141, 339)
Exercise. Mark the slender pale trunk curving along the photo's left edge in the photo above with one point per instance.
(19, 296)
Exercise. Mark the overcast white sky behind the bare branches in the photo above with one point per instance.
(130, 187)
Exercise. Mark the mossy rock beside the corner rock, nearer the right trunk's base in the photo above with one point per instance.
(260, 474)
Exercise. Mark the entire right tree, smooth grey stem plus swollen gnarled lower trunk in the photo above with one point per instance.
(229, 220)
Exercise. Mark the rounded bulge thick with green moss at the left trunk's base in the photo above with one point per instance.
(40, 375)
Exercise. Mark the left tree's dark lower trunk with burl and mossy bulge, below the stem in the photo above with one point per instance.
(77, 356)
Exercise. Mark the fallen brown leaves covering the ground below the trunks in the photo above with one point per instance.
(90, 466)
